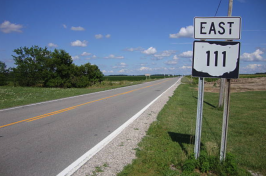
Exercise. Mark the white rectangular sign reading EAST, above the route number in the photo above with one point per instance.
(217, 28)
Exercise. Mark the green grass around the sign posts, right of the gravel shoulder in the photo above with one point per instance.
(169, 140)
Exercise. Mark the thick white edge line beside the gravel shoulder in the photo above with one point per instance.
(89, 154)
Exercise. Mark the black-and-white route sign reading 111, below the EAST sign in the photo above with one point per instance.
(218, 59)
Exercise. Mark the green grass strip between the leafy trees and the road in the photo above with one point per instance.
(16, 96)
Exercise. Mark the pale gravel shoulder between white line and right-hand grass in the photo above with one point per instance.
(121, 151)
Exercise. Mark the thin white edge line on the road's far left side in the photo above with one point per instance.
(49, 101)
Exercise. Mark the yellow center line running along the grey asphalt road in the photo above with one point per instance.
(74, 107)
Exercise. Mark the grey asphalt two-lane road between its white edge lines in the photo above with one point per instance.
(45, 138)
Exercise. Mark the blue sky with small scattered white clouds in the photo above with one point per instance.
(131, 37)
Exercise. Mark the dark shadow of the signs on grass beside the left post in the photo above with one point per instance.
(182, 139)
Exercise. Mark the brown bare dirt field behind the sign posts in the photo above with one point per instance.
(239, 85)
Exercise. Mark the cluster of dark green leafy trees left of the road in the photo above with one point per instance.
(36, 66)
